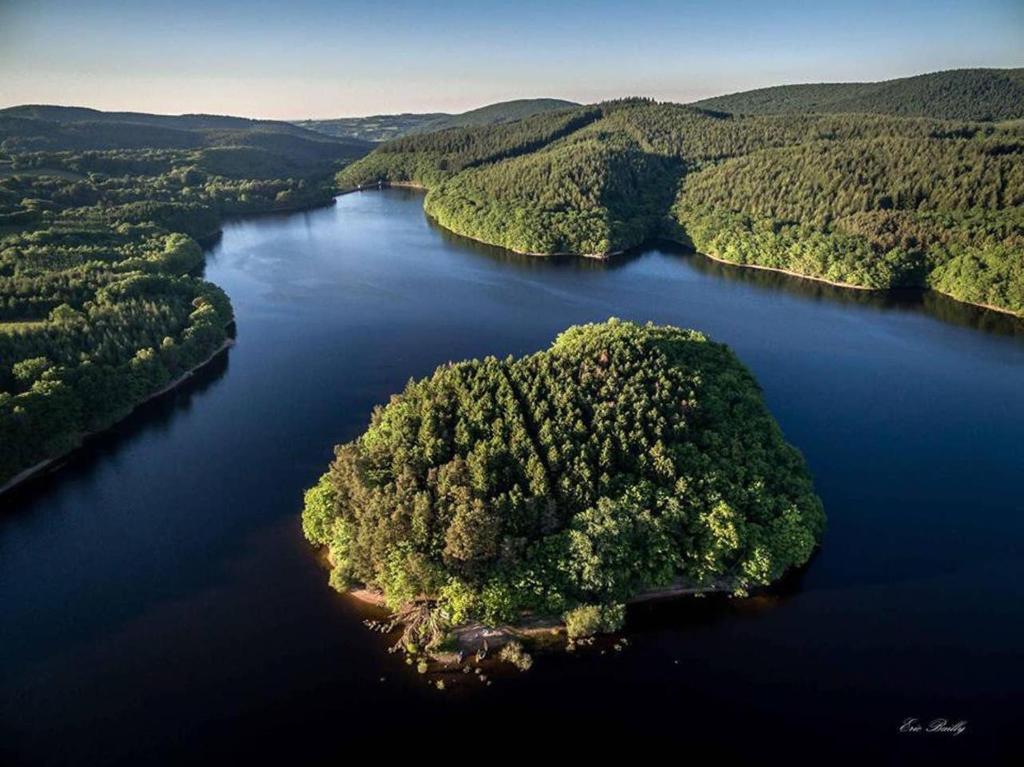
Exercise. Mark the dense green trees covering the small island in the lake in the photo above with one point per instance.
(625, 458)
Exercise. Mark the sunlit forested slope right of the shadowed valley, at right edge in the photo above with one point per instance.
(945, 211)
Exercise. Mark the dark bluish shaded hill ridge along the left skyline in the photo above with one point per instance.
(274, 149)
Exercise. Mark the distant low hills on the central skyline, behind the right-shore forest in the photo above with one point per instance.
(386, 127)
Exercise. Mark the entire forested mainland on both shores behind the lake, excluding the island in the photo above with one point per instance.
(101, 296)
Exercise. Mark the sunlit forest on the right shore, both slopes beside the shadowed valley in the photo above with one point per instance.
(871, 201)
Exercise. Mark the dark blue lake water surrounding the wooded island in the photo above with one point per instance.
(159, 604)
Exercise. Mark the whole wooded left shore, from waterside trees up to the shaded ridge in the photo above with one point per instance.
(101, 299)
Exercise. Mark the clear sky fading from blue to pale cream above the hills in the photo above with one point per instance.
(322, 59)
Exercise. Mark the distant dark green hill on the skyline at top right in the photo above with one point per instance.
(957, 95)
